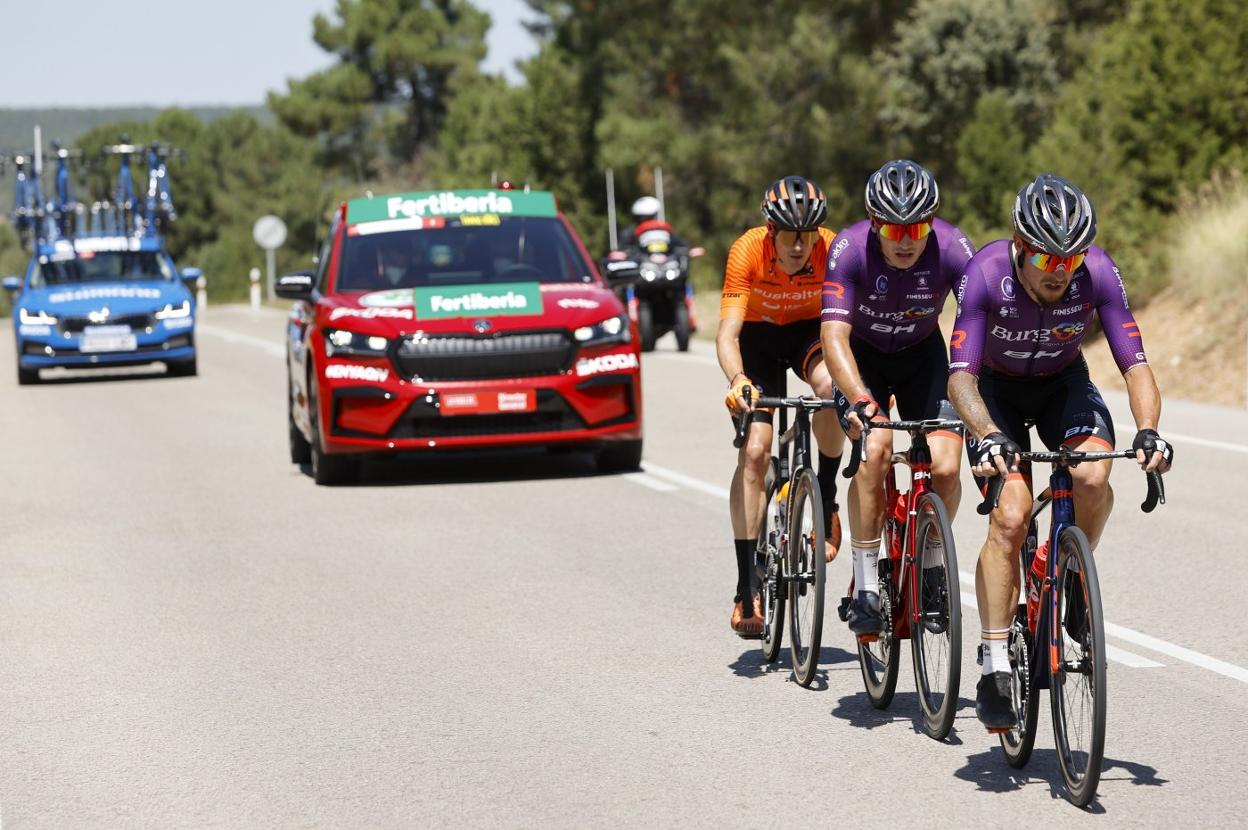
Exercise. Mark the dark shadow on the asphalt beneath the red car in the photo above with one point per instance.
(472, 467)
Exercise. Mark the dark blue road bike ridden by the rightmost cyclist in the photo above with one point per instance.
(1058, 640)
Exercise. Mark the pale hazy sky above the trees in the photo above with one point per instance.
(225, 52)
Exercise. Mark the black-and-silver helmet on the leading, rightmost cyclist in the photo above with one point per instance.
(1055, 217)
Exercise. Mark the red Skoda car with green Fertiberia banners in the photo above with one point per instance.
(457, 320)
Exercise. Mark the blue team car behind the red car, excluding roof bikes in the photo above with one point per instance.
(103, 301)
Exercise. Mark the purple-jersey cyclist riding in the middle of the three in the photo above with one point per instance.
(887, 283)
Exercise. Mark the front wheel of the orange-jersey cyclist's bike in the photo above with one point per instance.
(807, 575)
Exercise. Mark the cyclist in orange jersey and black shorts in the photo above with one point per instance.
(768, 325)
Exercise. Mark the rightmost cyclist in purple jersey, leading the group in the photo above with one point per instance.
(1025, 306)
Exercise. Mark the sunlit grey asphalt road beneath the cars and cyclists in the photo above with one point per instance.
(197, 635)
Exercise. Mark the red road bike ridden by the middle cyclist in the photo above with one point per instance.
(920, 597)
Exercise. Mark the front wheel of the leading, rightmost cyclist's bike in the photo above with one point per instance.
(1078, 690)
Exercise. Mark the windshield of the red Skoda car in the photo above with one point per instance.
(470, 250)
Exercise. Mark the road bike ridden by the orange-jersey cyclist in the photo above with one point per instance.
(789, 560)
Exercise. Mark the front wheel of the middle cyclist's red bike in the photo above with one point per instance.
(937, 637)
